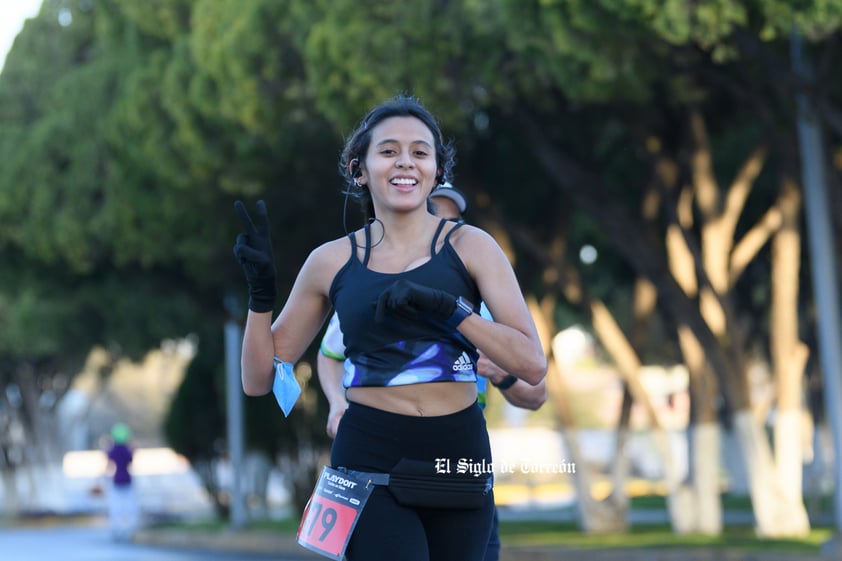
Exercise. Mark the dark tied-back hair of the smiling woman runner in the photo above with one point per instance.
(356, 146)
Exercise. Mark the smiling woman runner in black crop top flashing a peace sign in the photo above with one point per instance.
(402, 287)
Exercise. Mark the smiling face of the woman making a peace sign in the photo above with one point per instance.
(400, 165)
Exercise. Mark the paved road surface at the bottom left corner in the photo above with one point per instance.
(93, 543)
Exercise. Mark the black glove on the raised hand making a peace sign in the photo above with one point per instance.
(253, 250)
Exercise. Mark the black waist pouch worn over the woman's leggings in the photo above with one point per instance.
(413, 483)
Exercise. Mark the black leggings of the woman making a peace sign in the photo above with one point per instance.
(370, 439)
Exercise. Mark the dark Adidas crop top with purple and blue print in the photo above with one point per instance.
(399, 350)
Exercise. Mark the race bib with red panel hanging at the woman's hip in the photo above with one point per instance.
(332, 512)
